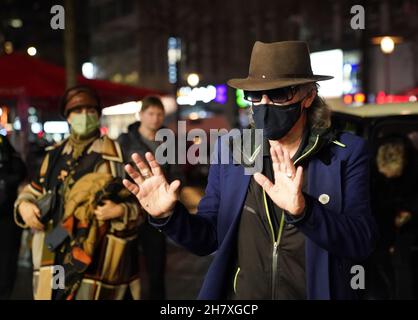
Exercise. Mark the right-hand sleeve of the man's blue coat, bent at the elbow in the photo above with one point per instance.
(351, 233)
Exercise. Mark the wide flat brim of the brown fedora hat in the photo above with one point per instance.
(266, 84)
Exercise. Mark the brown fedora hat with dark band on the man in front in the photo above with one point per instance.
(278, 65)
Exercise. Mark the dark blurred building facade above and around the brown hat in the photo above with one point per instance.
(129, 38)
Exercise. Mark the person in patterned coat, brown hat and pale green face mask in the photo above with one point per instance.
(83, 218)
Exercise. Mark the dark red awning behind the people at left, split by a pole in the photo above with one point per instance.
(21, 75)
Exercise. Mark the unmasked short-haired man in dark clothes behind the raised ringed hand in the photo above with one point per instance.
(140, 139)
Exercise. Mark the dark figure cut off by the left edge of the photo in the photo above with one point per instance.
(12, 174)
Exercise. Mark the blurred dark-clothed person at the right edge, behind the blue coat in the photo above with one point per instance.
(396, 210)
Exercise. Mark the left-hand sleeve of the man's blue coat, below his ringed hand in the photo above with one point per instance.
(196, 232)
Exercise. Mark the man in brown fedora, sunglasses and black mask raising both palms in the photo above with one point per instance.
(294, 230)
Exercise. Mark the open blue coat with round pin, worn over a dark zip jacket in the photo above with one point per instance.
(339, 234)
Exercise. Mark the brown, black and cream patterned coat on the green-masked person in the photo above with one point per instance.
(109, 269)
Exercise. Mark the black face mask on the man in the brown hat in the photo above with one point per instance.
(276, 120)
